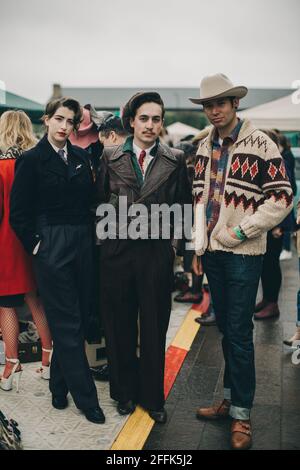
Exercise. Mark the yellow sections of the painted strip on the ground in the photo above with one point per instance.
(138, 426)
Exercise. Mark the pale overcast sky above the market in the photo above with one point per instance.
(146, 43)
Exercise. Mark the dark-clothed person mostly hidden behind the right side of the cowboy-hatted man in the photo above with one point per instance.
(268, 307)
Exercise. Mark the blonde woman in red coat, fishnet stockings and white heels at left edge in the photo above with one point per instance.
(16, 273)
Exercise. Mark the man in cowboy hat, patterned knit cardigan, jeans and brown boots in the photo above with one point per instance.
(241, 191)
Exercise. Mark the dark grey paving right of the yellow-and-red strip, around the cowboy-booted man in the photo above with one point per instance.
(276, 413)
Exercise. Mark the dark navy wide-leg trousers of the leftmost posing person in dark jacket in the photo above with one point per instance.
(63, 268)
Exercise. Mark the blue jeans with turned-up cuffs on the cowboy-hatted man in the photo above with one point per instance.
(233, 281)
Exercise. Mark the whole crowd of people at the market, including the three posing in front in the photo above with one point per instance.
(240, 181)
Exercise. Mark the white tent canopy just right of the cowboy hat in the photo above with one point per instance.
(280, 114)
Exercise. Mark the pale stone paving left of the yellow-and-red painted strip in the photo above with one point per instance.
(46, 428)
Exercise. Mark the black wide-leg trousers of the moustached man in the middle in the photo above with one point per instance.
(137, 278)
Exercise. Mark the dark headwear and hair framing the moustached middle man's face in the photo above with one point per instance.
(135, 102)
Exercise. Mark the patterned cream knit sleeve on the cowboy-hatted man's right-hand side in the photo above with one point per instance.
(278, 195)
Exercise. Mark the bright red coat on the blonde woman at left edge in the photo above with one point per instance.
(16, 273)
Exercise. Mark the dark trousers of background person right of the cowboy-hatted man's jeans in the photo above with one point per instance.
(271, 272)
